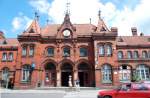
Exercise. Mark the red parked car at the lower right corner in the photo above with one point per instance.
(129, 90)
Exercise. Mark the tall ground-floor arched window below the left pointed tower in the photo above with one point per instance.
(26, 77)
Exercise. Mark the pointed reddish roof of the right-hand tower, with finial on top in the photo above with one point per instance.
(101, 27)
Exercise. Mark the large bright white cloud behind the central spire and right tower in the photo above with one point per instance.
(83, 10)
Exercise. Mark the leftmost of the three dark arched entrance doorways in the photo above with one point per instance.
(50, 74)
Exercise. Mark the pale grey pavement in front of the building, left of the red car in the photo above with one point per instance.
(5, 93)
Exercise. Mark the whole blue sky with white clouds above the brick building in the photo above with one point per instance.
(17, 15)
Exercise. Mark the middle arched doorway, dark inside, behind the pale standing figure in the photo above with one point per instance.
(66, 71)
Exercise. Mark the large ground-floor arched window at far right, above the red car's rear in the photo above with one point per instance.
(143, 72)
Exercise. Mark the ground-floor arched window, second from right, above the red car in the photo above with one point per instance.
(124, 73)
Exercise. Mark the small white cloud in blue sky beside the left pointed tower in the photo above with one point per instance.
(20, 22)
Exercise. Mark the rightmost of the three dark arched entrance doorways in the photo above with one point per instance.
(84, 74)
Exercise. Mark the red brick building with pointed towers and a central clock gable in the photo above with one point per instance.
(94, 55)
